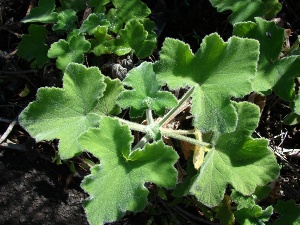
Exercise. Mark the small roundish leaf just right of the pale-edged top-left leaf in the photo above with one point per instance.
(66, 20)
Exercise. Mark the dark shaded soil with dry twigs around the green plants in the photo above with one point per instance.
(35, 190)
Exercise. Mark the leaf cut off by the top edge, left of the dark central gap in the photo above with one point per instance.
(125, 11)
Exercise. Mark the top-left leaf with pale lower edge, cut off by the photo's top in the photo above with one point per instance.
(43, 13)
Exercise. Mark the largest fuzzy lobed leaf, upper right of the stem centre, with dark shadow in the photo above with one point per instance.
(219, 70)
